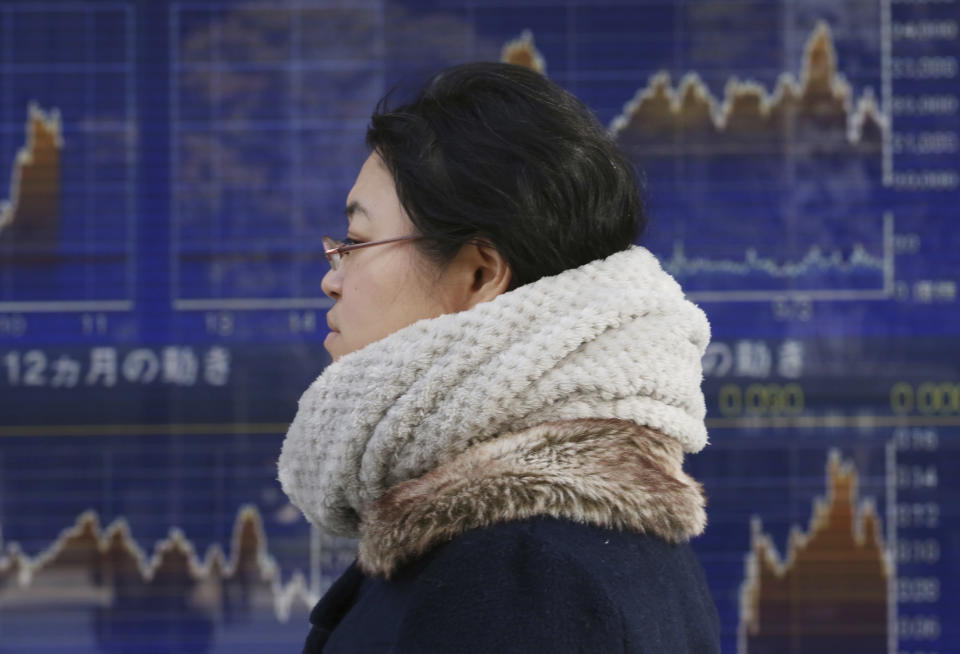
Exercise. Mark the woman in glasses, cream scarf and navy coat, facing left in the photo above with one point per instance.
(513, 386)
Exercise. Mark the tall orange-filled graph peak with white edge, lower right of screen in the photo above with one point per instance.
(829, 592)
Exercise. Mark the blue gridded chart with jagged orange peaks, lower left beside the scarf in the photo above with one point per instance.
(175, 539)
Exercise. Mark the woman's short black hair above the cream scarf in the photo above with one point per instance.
(499, 152)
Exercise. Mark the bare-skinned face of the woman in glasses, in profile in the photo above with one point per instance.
(381, 289)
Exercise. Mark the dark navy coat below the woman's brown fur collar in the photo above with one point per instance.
(535, 585)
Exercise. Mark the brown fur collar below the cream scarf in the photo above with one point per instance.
(610, 473)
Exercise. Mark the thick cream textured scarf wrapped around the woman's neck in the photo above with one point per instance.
(614, 338)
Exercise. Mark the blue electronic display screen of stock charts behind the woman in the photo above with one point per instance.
(167, 171)
